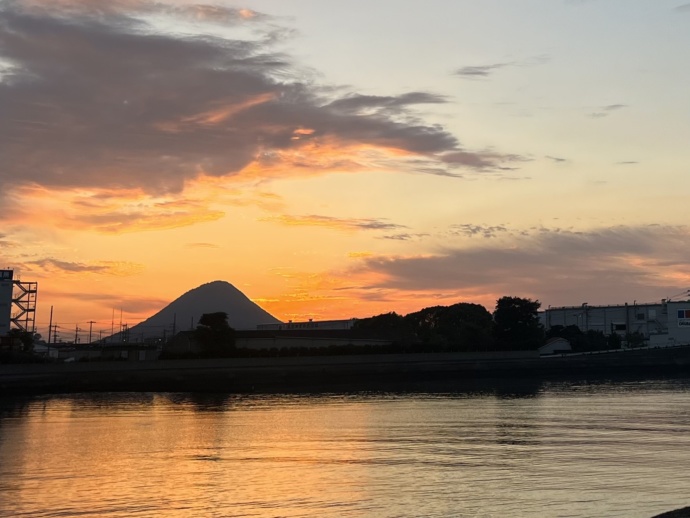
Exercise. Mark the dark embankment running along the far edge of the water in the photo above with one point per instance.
(339, 373)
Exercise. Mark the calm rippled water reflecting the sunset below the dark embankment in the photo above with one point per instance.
(564, 450)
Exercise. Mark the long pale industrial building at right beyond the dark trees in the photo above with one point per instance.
(662, 324)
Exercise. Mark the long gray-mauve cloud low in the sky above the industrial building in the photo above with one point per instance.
(556, 266)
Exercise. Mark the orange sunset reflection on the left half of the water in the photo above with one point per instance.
(148, 455)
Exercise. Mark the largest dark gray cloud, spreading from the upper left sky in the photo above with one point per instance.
(97, 97)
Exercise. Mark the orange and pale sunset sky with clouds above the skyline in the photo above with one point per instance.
(344, 159)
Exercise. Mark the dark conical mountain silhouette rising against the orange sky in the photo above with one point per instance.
(184, 312)
